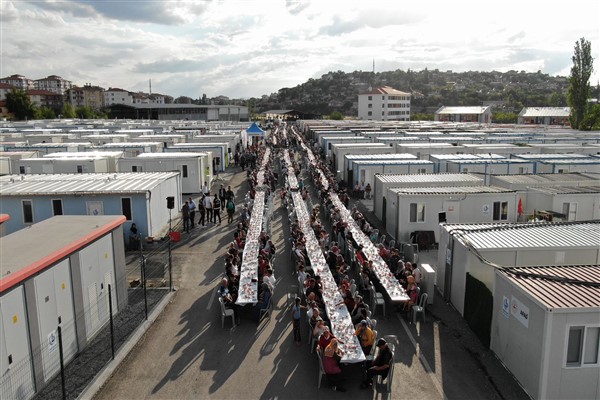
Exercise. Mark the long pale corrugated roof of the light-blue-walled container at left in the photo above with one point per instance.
(74, 184)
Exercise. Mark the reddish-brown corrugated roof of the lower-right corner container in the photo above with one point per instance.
(558, 287)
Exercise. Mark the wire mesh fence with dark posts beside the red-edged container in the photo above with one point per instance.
(64, 372)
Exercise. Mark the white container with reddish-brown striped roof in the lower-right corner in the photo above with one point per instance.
(546, 329)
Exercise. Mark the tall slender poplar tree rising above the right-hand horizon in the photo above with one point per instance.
(579, 82)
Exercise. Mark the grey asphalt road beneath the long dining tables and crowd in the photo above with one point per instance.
(186, 354)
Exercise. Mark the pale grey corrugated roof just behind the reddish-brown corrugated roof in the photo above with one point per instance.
(533, 236)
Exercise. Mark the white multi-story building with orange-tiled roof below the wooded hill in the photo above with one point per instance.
(384, 104)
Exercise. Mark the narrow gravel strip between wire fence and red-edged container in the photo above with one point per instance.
(81, 370)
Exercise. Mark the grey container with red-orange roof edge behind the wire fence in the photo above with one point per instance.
(62, 281)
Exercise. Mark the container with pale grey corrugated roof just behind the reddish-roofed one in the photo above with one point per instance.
(479, 249)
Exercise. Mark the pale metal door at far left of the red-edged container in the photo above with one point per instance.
(16, 374)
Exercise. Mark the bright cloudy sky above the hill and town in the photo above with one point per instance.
(248, 48)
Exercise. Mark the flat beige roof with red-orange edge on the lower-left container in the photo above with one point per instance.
(55, 238)
